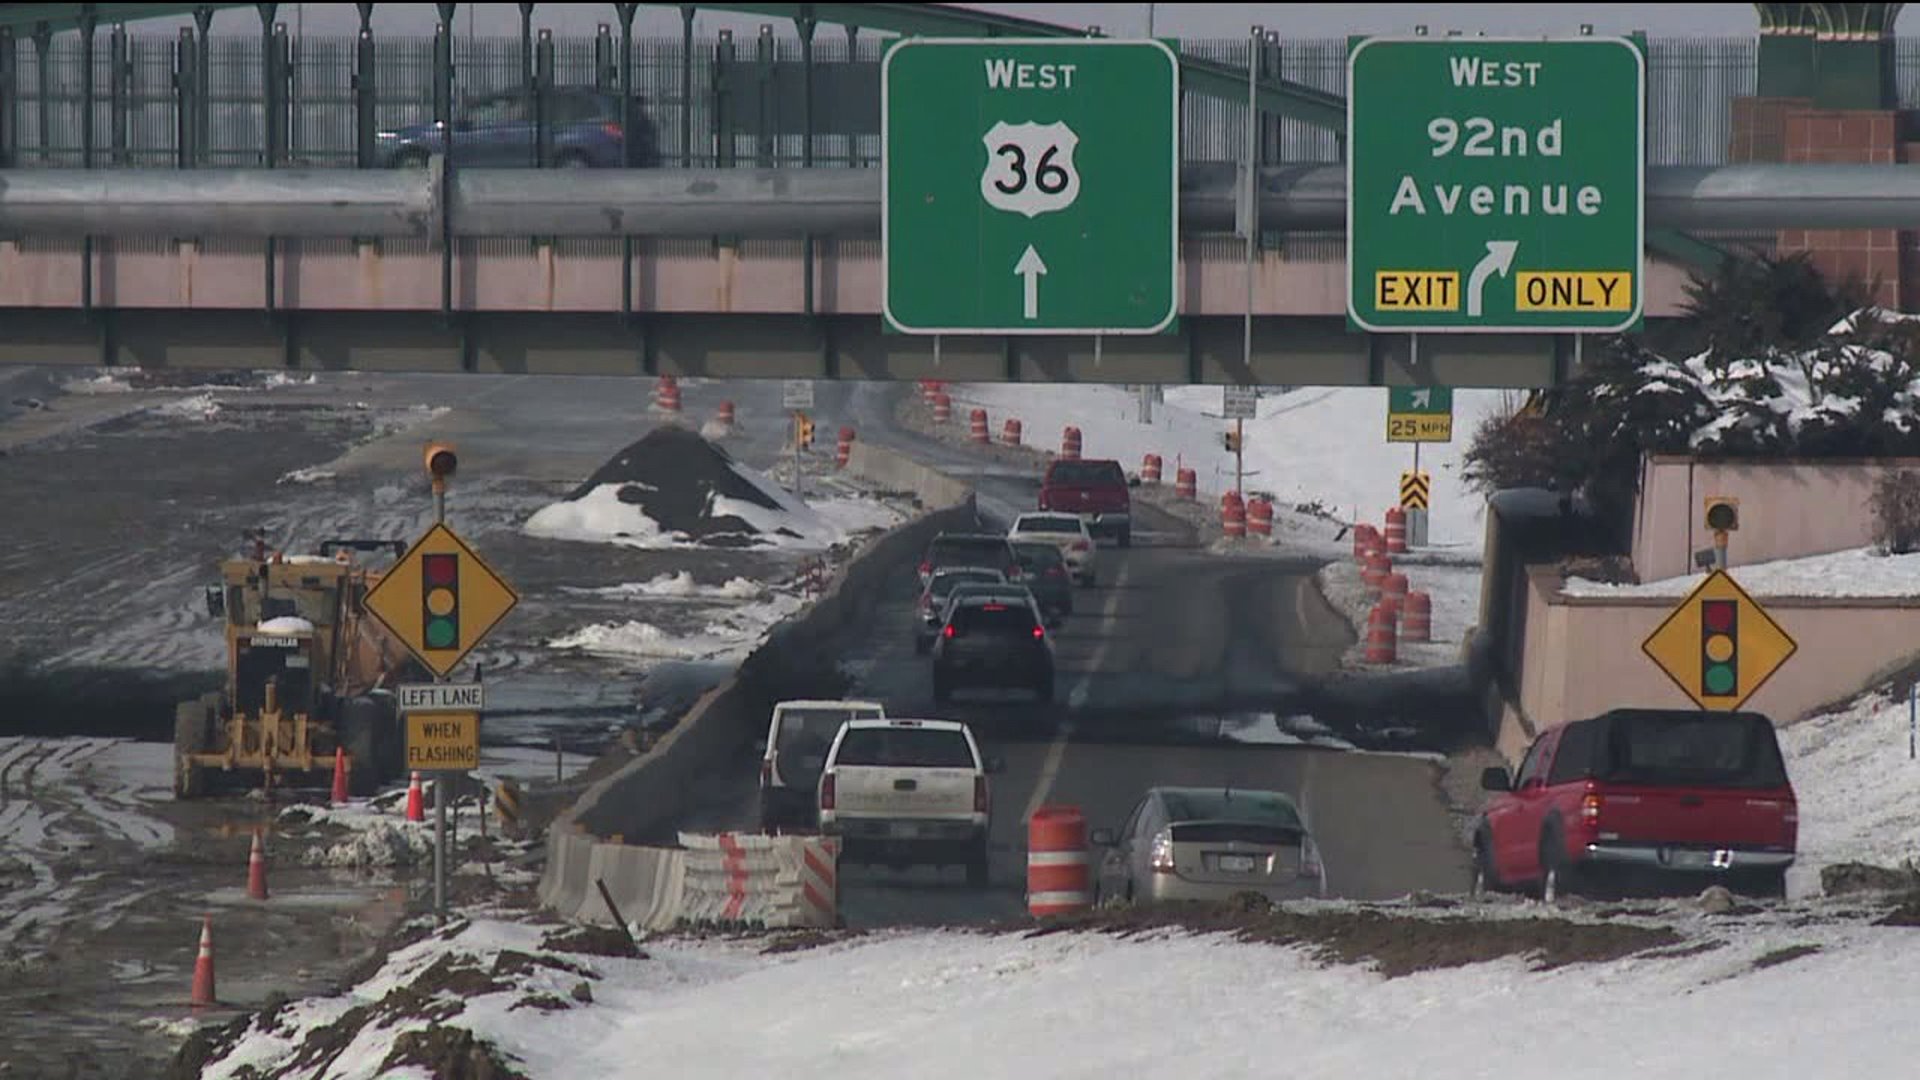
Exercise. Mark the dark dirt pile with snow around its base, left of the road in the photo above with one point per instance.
(675, 478)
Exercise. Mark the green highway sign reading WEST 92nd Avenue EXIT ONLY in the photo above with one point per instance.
(1495, 184)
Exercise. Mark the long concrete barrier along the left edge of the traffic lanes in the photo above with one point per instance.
(650, 793)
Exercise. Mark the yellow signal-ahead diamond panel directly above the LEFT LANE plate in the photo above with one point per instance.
(441, 601)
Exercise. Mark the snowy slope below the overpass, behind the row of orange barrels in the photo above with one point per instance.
(1308, 445)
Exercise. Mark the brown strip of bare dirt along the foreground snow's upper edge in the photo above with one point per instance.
(1395, 945)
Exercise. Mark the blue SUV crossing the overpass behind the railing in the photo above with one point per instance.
(585, 134)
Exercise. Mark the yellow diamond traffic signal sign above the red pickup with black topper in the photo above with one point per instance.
(1719, 645)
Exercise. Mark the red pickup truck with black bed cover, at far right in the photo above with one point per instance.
(1646, 798)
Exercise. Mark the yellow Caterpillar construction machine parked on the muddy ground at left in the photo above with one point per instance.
(308, 674)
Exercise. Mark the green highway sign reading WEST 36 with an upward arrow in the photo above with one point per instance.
(1030, 185)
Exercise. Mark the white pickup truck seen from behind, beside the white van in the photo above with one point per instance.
(905, 793)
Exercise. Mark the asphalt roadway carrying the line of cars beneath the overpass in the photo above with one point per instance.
(1164, 670)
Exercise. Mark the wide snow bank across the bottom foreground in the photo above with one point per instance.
(1771, 1000)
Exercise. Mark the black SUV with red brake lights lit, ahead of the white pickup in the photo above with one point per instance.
(997, 643)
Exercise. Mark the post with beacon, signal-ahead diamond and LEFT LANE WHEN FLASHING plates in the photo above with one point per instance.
(441, 601)
